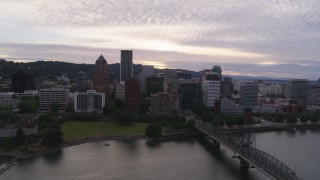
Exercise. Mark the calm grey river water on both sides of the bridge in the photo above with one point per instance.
(182, 159)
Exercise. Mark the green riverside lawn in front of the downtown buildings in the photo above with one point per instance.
(76, 129)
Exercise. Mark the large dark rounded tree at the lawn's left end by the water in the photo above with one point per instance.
(53, 137)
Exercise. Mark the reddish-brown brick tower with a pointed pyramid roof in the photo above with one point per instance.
(101, 77)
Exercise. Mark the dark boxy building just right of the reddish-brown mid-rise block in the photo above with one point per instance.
(154, 85)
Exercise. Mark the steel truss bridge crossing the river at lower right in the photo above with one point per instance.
(264, 162)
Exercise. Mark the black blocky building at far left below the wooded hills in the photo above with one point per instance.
(21, 81)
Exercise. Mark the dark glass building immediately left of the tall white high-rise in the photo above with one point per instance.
(190, 94)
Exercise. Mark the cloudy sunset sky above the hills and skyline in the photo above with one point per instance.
(275, 38)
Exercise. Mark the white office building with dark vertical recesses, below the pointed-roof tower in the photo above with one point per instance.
(90, 101)
